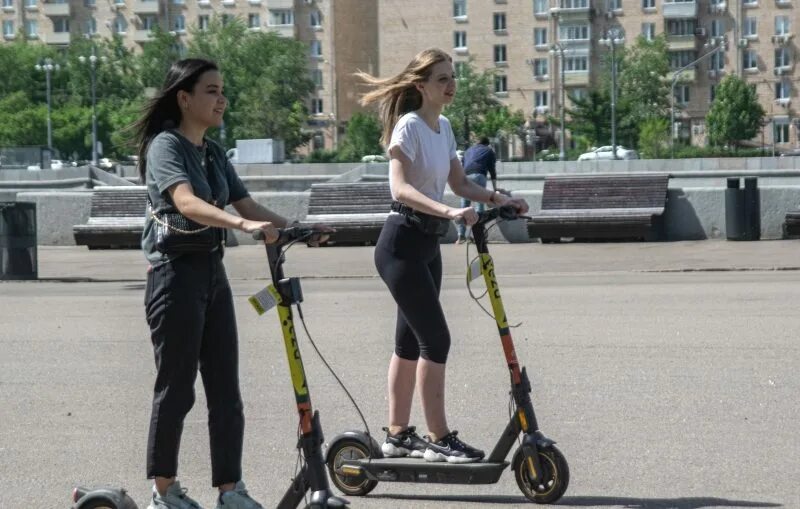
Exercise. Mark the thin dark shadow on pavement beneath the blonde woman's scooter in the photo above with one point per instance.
(626, 502)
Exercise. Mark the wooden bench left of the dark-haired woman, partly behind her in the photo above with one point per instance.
(116, 219)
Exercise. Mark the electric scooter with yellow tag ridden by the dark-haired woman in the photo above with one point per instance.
(283, 293)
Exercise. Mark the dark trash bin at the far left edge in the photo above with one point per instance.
(18, 241)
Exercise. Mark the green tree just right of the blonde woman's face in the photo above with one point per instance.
(473, 100)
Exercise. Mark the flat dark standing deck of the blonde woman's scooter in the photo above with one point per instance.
(421, 471)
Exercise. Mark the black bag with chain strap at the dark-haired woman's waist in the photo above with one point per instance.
(176, 234)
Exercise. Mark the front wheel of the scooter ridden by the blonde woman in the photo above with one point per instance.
(554, 477)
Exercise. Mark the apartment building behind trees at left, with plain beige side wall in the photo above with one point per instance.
(322, 24)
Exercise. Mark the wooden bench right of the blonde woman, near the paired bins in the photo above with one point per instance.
(592, 207)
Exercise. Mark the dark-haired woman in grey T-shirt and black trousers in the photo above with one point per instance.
(188, 301)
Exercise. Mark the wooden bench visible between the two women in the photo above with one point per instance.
(356, 209)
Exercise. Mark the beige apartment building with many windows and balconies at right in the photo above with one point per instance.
(528, 41)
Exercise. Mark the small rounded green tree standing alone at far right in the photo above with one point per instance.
(735, 114)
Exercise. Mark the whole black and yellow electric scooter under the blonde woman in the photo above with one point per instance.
(356, 463)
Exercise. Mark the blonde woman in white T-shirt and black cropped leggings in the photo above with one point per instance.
(422, 151)
